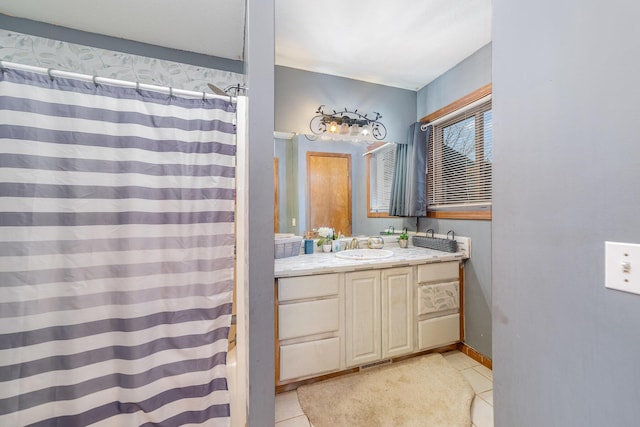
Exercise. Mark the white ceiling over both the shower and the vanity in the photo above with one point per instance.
(399, 43)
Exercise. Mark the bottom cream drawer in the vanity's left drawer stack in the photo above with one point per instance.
(309, 358)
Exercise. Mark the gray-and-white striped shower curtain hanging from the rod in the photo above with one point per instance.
(116, 254)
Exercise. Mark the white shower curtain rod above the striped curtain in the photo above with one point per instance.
(105, 80)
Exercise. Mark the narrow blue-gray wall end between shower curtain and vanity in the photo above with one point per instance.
(259, 316)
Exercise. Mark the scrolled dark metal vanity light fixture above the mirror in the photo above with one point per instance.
(347, 125)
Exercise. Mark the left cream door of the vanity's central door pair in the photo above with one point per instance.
(362, 297)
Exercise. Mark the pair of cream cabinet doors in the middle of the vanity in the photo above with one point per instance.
(379, 315)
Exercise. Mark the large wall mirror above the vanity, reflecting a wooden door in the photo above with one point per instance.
(296, 174)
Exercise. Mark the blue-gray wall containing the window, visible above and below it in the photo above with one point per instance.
(469, 75)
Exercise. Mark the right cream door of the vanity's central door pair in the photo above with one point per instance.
(397, 312)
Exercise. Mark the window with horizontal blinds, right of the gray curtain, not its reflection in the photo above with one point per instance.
(460, 159)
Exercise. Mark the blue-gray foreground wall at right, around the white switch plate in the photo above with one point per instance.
(566, 175)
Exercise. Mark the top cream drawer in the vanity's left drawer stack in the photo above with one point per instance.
(292, 288)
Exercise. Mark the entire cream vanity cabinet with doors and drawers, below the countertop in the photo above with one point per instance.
(326, 323)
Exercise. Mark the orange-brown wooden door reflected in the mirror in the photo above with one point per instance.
(329, 191)
